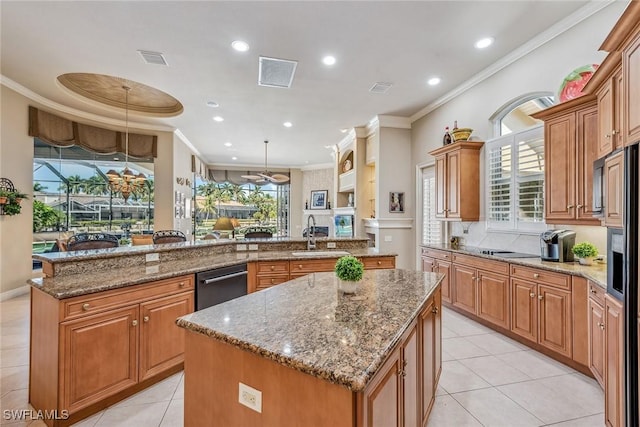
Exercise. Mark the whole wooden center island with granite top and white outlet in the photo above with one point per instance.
(313, 355)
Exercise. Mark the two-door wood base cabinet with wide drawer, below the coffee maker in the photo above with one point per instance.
(541, 308)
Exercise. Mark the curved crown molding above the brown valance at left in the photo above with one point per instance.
(28, 93)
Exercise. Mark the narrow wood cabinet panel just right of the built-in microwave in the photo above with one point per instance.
(614, 190)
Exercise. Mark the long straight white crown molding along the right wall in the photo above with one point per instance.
(544, 37)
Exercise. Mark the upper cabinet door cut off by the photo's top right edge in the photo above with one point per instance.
(631, 104)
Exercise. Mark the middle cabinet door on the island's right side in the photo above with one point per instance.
(410, 378)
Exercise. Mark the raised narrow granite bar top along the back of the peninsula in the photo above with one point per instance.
(56, 257)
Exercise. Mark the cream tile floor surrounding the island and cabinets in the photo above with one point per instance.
(487, 380)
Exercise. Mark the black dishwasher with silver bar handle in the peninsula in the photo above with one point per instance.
(220, 285)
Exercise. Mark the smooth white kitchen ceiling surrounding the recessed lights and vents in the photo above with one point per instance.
(404, 43)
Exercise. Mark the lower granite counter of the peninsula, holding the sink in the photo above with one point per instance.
(62, 287)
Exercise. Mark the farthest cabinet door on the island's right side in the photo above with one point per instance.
(427, 361)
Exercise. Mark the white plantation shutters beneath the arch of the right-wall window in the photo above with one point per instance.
(515, 181)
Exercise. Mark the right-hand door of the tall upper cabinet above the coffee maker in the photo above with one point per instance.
(587, 125)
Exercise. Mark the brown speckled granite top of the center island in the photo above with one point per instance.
(309, 325)
